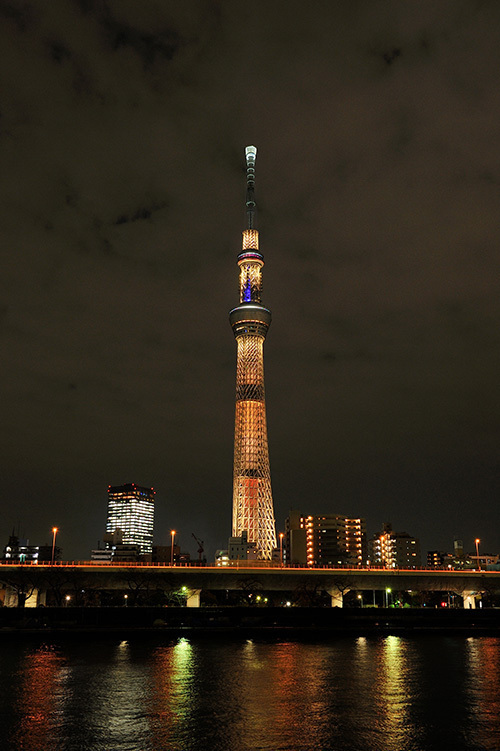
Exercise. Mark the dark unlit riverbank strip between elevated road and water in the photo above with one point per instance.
(248, 621)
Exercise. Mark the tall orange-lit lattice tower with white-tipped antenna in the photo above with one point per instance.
(253, 511)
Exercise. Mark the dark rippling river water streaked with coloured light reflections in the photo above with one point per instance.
(387, 694)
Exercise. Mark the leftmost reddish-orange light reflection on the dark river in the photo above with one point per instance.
(38, 700)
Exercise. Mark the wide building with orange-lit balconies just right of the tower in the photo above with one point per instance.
(325, 540)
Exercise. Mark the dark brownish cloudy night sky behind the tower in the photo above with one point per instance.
(122, 134)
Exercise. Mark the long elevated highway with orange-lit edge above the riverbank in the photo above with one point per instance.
(31, 583)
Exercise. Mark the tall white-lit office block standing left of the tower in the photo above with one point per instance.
(131, 510)
